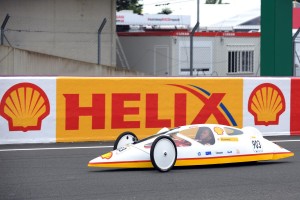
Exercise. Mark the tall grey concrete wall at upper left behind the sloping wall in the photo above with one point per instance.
(65, 28)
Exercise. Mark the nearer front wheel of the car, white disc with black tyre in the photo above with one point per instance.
(163, 149)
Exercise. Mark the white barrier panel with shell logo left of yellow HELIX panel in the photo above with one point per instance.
(22, 106)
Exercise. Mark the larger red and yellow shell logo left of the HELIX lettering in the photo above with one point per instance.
(24, 106)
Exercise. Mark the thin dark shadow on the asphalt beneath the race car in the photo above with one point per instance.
(218, 166)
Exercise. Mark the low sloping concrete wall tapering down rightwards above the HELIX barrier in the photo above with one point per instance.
(22, 62)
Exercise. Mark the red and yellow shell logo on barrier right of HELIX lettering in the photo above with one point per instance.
(266, 103)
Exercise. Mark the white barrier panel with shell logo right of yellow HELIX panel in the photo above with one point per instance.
(271, 99)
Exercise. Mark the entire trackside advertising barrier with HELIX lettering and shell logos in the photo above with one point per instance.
(73, 109)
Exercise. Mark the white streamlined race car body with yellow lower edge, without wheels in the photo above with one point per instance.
(228, 145)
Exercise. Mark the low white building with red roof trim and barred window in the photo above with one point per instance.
(162, 53)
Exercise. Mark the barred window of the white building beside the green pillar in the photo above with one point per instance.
(240, 61)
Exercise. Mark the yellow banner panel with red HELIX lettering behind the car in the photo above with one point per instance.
(99, 109)
